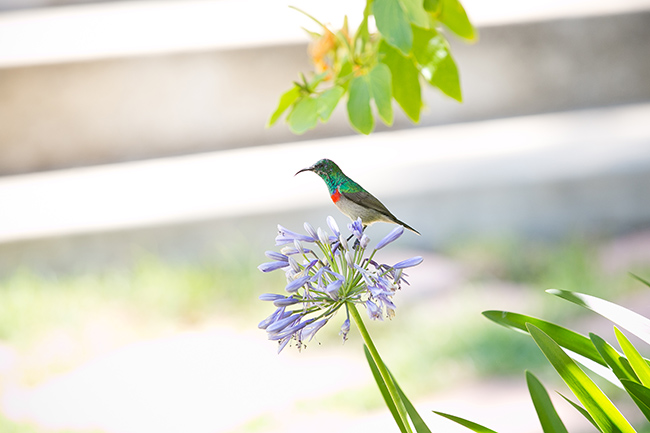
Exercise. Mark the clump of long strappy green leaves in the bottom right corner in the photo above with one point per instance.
(566, 350)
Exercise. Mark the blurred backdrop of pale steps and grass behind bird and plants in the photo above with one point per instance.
(139, 190)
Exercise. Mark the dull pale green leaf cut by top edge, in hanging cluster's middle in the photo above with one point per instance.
(393, 24)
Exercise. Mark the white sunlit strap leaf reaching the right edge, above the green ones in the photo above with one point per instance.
(633, 322)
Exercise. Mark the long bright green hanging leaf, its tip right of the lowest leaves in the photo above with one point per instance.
(404, 79)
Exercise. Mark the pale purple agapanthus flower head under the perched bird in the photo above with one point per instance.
(318, 285)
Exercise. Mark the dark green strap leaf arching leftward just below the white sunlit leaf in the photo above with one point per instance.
(564, 337)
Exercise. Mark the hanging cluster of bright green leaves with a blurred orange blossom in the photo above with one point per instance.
(374, 67)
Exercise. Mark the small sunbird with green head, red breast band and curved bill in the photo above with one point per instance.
(350, 197)
